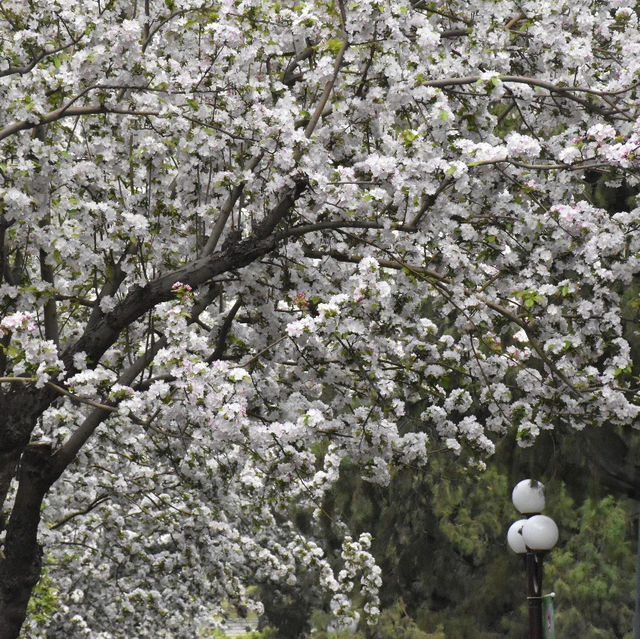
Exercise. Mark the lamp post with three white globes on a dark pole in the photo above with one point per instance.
(531, 537)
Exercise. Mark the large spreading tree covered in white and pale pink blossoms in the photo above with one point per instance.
(240, 239)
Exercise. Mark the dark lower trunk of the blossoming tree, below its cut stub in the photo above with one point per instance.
(22, 561)
